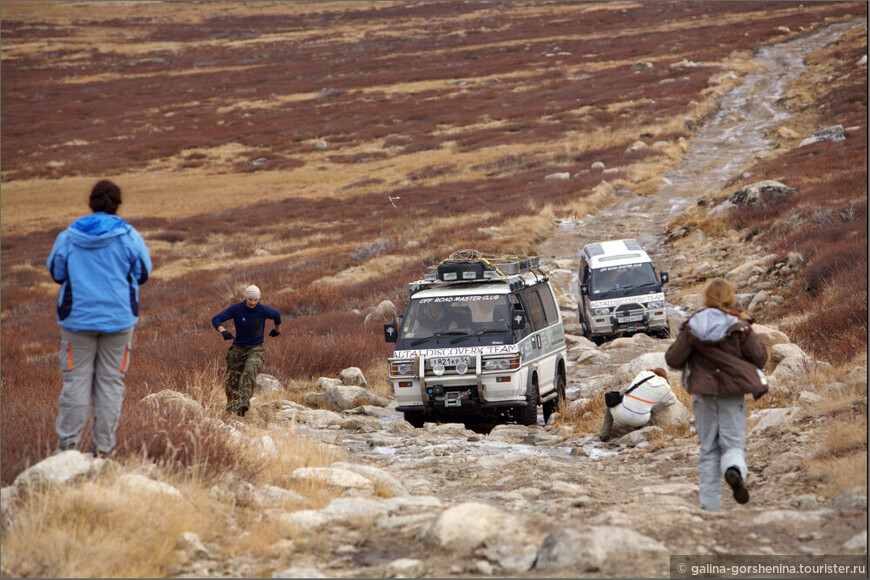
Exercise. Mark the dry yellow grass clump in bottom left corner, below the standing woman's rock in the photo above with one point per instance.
(101, 530)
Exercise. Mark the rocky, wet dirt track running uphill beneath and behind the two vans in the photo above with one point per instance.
(545, 501)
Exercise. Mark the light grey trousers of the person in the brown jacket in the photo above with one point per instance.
(721, 426)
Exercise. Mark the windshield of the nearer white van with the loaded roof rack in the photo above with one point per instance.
(455, 321)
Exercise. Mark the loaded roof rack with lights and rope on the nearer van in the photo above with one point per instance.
(468, 266)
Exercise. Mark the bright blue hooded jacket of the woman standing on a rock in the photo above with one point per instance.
(100, 261)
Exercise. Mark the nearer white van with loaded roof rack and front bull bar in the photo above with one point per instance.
(480, 340)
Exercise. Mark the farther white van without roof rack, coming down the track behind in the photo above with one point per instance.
(620, 293)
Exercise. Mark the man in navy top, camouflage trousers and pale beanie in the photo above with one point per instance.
(248, 351)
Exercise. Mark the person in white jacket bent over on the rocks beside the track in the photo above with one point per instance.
(648, 389)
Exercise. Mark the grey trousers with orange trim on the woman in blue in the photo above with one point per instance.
(93, 365)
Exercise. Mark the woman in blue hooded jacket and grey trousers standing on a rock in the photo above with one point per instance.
(100, 261)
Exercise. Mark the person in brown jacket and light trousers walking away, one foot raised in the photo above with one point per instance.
(720, 356)
